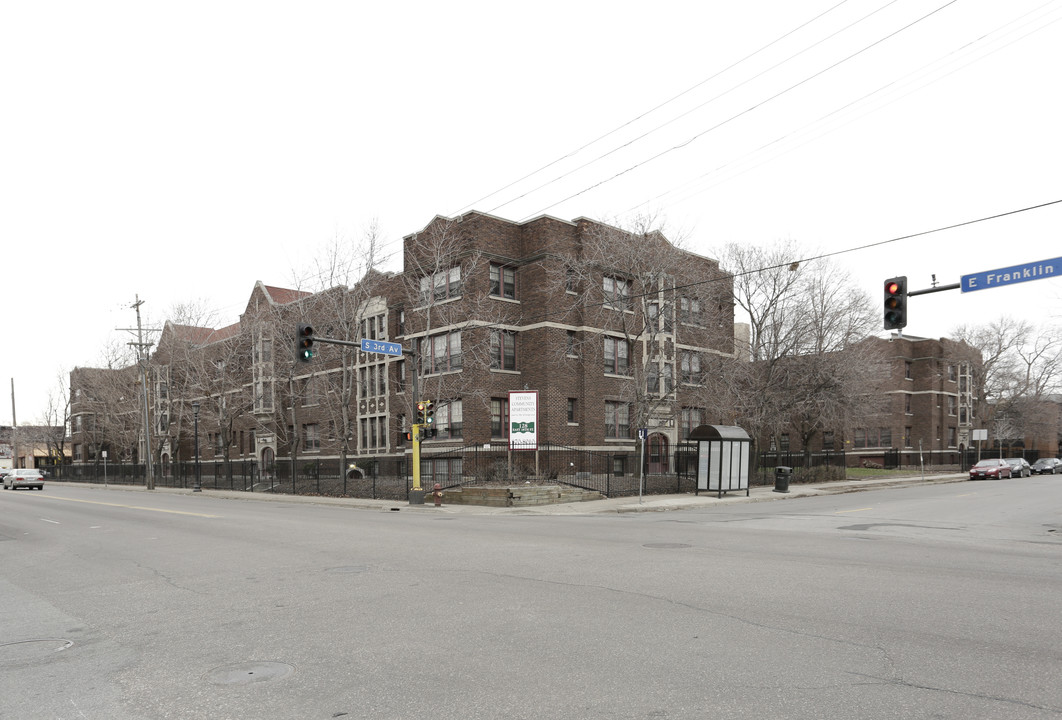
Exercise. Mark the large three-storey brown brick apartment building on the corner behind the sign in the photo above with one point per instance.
(606, 327)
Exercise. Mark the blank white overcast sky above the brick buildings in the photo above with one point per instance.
(183, 151)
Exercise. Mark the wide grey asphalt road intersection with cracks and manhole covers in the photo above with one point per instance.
(935, 602)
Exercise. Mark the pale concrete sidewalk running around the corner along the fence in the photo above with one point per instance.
(621, 505)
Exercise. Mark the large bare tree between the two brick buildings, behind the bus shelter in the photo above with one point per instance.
(808, 369)
